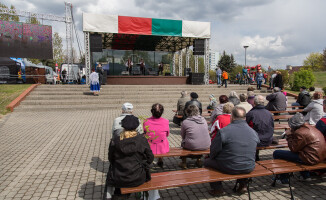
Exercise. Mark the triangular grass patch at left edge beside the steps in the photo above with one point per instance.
(8, 93)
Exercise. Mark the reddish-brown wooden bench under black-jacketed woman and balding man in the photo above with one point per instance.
(180, 178)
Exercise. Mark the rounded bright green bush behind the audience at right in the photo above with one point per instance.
(303, 77)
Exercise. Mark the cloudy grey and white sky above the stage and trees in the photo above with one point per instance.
(278, 32)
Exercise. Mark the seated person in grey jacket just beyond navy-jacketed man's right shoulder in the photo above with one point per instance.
(276, 100)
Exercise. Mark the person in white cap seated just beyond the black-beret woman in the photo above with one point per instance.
(117, 128)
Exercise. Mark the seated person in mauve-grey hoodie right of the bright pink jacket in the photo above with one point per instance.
(194, 133)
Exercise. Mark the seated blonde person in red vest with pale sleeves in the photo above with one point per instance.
(222, 120)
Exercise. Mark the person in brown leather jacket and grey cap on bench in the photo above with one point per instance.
(307, 146)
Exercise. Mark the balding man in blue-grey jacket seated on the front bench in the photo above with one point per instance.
(233, 150)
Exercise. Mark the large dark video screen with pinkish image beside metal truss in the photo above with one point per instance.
(25, 40)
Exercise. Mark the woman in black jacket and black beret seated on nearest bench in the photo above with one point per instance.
(130, 157)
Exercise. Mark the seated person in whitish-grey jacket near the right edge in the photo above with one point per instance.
(314, 109)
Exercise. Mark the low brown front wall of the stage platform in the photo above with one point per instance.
(146, 80)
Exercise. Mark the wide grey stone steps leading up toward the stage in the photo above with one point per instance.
(78, 97)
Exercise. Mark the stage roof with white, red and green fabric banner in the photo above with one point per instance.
(147, 34)
